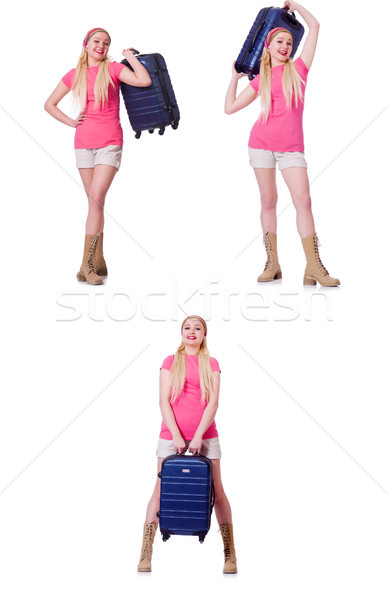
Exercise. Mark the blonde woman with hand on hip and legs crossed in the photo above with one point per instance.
(95, 84)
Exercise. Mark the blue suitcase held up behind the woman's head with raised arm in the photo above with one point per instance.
(248, 60)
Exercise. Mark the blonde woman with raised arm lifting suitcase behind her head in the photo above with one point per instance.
(277, 138)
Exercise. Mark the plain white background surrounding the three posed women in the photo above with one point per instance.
(302, 417)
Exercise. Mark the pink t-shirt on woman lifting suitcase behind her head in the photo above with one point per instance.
(283, 132)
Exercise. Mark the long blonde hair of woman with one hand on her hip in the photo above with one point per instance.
(101, 85)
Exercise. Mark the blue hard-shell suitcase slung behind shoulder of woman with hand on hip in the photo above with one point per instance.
(155, 106)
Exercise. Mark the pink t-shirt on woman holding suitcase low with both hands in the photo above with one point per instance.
(188, 407)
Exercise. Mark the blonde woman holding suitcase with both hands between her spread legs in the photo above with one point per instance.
(189, 390)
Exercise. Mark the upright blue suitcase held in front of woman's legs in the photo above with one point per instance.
(186, 496)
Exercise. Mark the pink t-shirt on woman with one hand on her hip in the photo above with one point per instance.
(102, 126)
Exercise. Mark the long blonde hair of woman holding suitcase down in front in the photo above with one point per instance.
(178, 372)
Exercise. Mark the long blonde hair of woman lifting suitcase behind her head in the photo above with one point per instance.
(292, 84)
